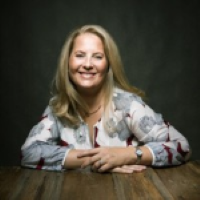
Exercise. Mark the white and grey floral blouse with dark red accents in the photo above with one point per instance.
(133, 123)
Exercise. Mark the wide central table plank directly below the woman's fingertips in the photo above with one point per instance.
(86, 185)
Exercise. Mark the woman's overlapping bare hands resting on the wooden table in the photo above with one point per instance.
(111, 159)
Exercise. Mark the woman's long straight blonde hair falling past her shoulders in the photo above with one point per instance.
(65, 97)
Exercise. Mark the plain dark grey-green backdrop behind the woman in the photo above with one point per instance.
(158, 41)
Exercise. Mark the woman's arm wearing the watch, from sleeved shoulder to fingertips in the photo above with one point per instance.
(162, 144)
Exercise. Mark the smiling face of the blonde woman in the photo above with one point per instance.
(87, 63)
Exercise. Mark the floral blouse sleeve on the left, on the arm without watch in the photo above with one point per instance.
(42, 149)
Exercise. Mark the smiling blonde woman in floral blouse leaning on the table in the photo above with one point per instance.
(96, 118)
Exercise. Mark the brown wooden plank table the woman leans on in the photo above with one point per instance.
(182, 182)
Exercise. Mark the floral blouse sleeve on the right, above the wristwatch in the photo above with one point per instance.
(167, 145)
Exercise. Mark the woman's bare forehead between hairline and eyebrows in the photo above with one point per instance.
(88, 40)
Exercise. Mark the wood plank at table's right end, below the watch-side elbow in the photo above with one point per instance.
(182, 181)
